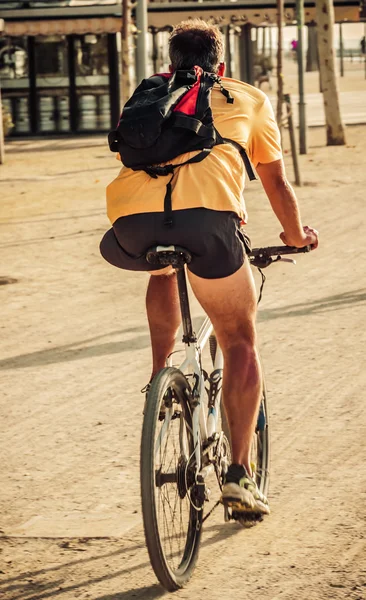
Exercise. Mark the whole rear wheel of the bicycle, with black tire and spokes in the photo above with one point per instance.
(171, 499)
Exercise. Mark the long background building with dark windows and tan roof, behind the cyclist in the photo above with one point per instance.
(60, 63)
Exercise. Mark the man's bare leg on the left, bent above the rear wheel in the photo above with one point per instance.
(163, 313)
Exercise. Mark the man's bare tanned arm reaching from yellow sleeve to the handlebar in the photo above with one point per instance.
(284, 204)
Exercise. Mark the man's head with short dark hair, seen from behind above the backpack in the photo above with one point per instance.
(195, 42)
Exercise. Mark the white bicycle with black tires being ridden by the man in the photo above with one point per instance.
(173, 488)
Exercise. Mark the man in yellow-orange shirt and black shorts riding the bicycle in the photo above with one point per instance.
(208, 206)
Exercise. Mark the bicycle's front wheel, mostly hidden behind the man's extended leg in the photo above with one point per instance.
(261, 441)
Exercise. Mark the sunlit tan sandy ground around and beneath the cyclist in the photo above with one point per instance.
(75, 353)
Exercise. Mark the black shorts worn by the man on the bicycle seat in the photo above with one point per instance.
(214, 239)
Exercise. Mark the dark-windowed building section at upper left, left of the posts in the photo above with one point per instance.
(59, 65)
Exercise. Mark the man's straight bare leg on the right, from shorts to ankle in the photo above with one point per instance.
(231, 305)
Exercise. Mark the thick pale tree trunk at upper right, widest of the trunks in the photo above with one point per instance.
(325, 24)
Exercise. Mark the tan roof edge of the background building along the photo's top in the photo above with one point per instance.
(45, 17)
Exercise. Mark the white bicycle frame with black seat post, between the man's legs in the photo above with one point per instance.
(204, 428)
